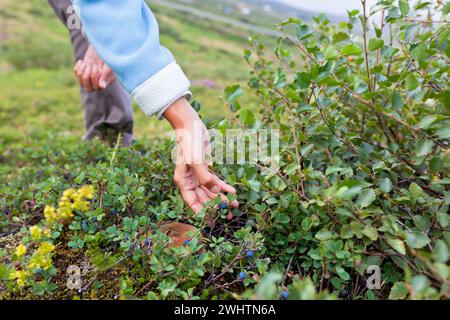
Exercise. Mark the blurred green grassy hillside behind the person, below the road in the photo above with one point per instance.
(39, 94)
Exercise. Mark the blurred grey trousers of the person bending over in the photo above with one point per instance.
(108, 112)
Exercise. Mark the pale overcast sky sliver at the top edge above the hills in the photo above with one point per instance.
(338, 7)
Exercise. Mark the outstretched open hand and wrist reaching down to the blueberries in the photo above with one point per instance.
(196, 182)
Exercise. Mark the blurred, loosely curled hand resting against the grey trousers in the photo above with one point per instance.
(92, 73)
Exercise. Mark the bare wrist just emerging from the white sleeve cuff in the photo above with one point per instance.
(180, 114)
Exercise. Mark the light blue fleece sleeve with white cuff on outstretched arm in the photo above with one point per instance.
(125, 34)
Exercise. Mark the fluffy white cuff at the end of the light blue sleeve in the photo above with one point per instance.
(160, 91)
